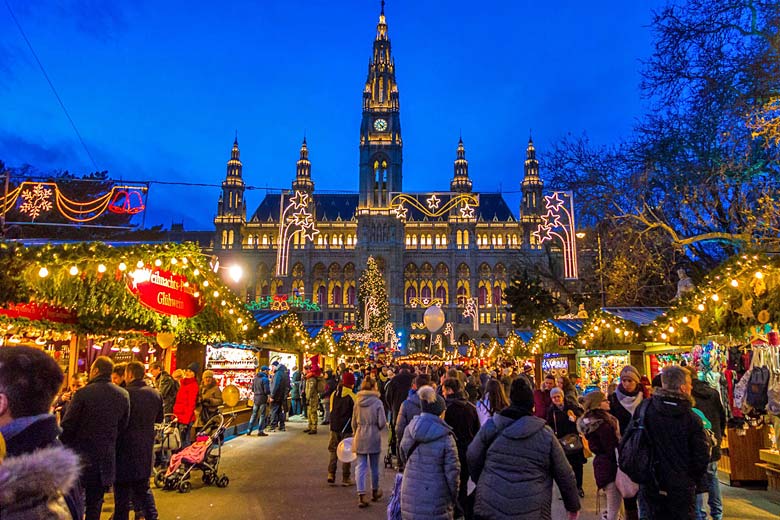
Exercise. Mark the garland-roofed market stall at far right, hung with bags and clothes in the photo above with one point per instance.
(730, 320)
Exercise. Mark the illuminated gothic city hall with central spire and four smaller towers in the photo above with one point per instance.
(445, 246)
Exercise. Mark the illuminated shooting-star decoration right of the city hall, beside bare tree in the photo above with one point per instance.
(558, 222)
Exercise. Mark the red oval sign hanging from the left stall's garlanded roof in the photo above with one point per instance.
(165, 292)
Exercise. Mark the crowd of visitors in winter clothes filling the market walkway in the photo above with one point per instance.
(467, 442)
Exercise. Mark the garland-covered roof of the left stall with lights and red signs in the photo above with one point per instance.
(125, 301)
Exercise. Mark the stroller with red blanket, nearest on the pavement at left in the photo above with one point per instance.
(204, 454)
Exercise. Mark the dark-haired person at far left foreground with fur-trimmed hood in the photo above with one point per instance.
(29, 380)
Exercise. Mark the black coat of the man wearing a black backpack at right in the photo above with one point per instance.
(680, 446)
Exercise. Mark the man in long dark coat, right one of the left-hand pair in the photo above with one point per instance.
(135, 447)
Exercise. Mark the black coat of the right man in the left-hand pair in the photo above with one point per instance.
(135, 446)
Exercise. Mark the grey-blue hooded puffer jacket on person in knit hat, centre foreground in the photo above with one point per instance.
(430, 485)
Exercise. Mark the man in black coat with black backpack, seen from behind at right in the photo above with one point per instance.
(666, 432)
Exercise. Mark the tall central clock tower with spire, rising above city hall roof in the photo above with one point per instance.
(380, 129)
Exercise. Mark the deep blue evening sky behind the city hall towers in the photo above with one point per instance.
(158, 89)
